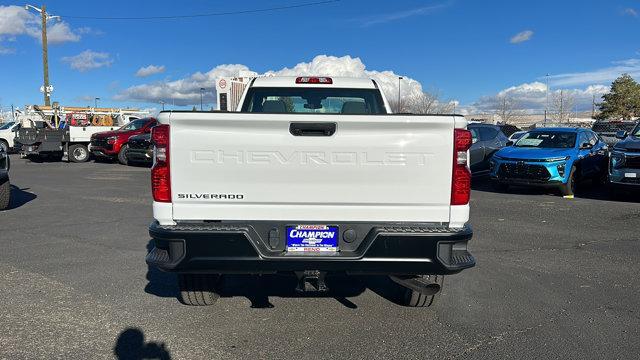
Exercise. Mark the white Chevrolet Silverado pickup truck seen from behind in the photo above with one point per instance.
(312, 175)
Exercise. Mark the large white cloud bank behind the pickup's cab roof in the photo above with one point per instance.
(186, 91)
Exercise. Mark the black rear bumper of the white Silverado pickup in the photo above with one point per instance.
(259, 248)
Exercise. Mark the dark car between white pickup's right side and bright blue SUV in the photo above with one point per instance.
(487, 139)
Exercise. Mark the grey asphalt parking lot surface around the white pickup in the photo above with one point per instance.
(556, 278)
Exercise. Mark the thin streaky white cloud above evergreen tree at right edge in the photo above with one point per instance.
(598, 76)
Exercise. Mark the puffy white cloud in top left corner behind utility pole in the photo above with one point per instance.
(16, 21)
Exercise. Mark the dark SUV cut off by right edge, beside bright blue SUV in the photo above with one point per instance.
(624, 162)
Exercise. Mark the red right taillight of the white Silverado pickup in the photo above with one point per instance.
(461, 177)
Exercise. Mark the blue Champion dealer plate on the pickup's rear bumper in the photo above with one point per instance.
(312, 238)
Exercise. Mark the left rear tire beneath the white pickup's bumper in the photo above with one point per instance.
(198, 290)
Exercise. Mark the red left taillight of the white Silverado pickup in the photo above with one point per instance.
(160, 174)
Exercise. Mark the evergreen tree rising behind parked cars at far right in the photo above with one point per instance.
(623, 101)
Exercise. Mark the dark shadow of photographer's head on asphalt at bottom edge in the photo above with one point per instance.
(132, 346)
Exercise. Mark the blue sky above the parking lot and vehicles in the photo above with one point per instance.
(468, 51)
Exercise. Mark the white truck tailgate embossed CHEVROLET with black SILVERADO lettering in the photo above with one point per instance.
(240, 166)
